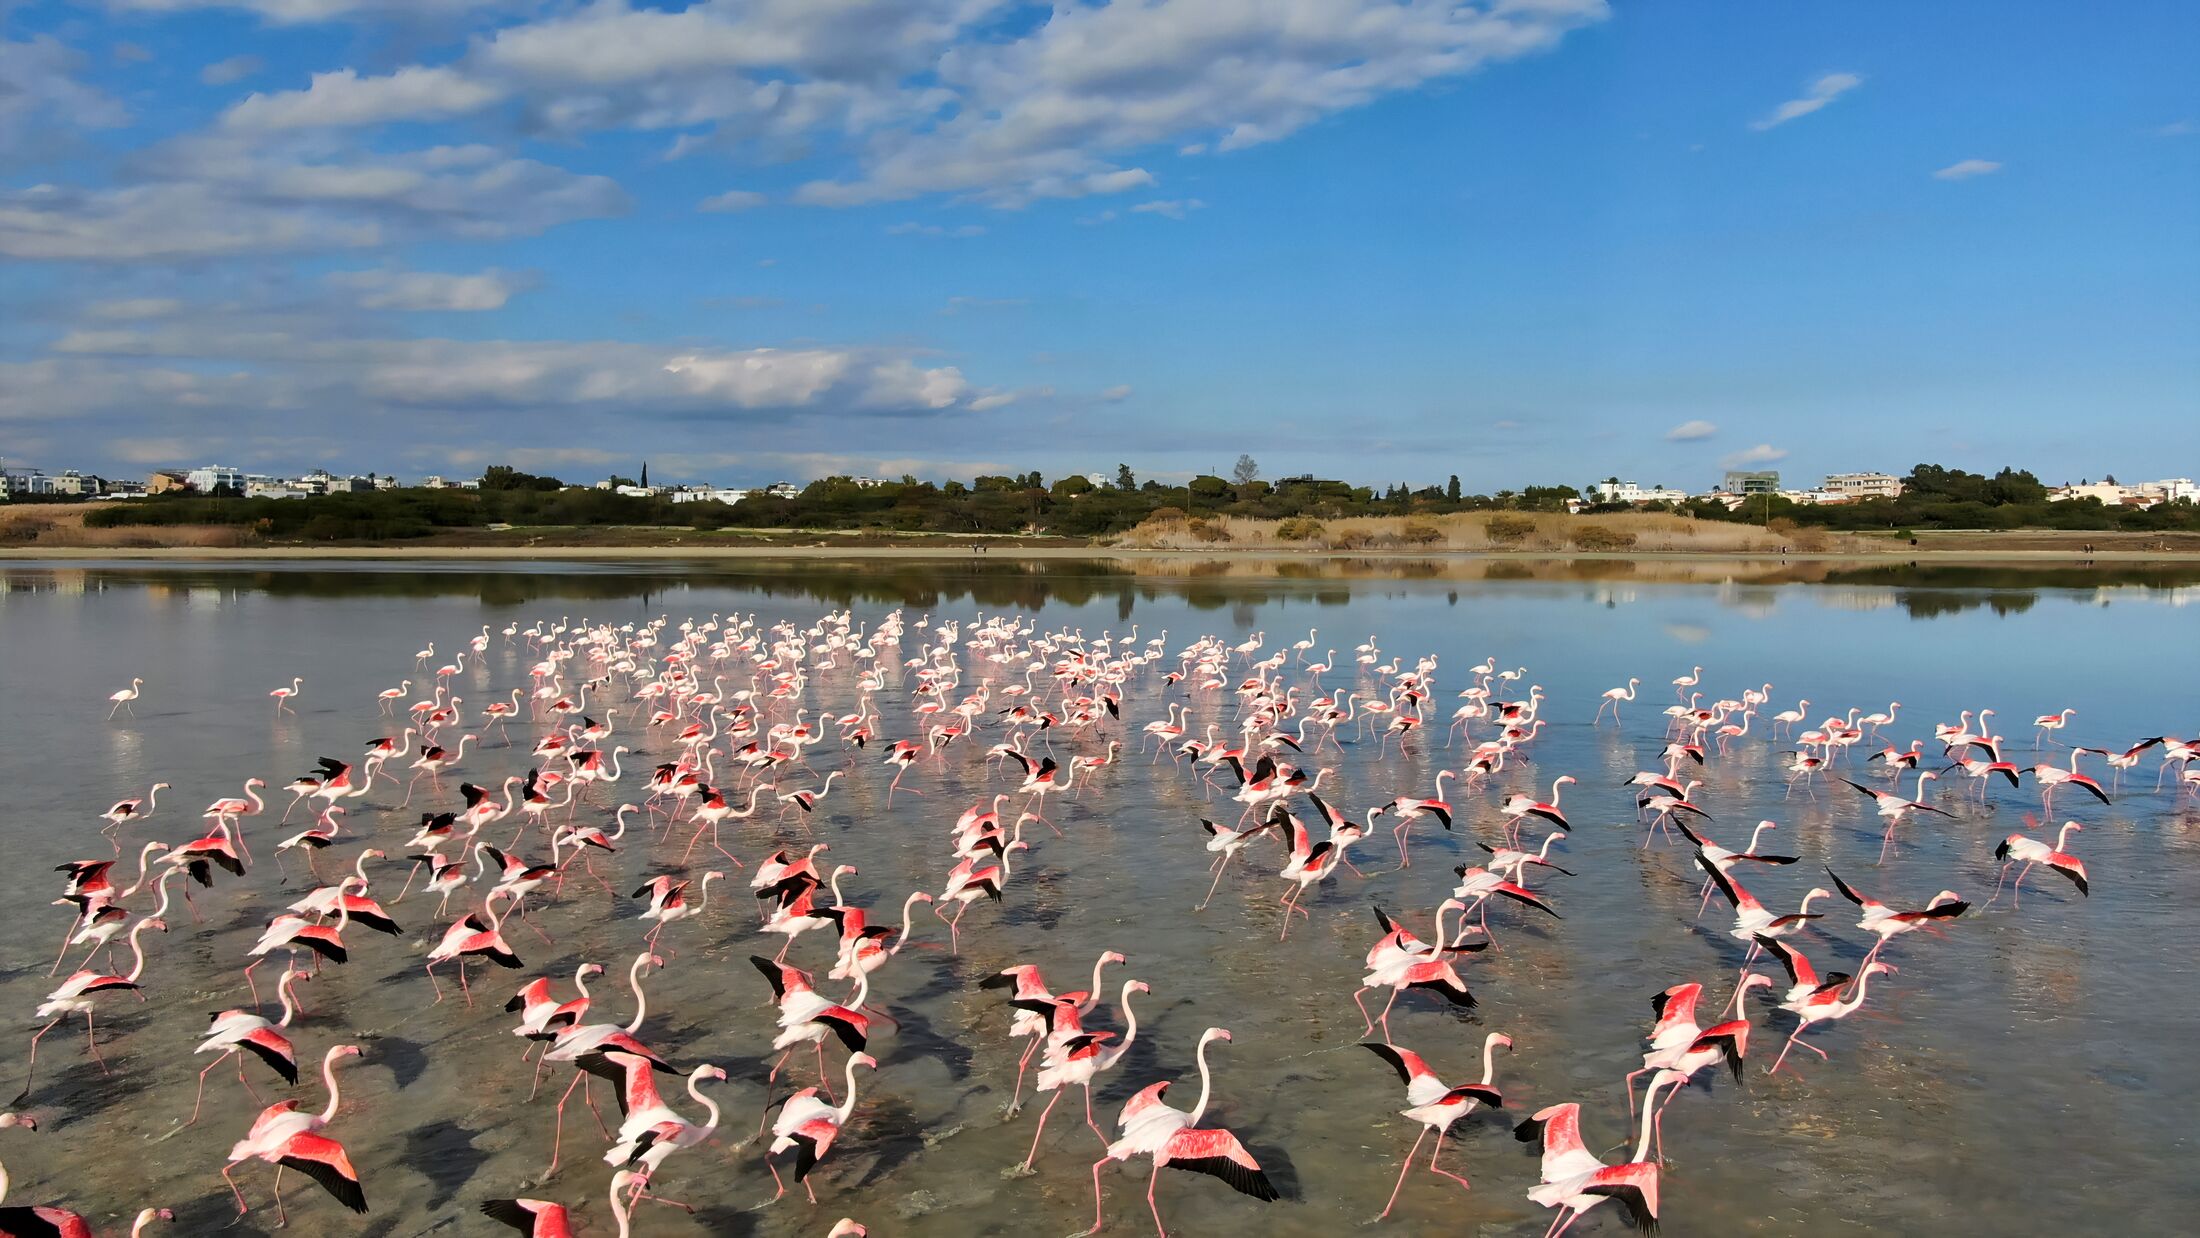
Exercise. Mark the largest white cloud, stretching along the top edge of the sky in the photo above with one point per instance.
(932, 98)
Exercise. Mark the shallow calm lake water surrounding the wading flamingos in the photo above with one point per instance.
(2027, 1072)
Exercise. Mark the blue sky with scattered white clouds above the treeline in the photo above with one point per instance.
(1519, 241)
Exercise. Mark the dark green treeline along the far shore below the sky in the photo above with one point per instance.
(1077, 507)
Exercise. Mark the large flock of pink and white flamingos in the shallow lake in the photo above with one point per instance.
(729, 711)
